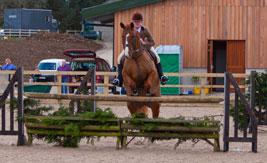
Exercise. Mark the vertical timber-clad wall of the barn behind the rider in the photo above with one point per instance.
(191, 23)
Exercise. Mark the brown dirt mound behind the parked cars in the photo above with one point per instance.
(27, 52)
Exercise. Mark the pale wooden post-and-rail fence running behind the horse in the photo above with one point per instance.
(202, 85)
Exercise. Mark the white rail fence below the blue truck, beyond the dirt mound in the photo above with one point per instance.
(22, 32)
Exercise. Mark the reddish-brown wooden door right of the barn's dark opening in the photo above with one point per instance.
(236, 59)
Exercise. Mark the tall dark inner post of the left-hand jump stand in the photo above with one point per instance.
(20, 107)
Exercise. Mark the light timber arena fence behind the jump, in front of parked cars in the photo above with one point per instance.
(104, 87)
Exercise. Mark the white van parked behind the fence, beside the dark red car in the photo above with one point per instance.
(48, 65)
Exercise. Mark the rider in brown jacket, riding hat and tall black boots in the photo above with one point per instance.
(148, 43)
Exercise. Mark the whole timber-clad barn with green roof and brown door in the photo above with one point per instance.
(216, 35)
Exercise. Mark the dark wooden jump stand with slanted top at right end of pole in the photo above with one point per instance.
(249, 121)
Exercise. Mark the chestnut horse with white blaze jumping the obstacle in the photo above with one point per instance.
(139, 72)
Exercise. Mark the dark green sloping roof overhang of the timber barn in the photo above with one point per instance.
(105, 12)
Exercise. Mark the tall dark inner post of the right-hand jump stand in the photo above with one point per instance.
(226, 112)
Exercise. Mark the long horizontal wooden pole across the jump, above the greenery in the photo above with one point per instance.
(119, 98)
